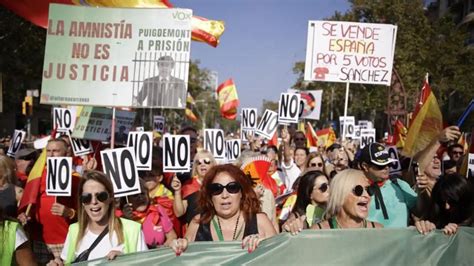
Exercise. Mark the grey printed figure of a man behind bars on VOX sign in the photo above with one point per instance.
(163, 90)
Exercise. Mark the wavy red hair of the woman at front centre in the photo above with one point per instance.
(249, 204)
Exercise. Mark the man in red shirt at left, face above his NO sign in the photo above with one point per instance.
(51, 215)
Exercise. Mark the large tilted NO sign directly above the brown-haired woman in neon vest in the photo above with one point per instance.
(119, 165)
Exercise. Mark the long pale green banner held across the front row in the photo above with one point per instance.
(324, 247)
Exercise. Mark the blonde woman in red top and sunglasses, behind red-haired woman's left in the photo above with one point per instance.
(185, 195)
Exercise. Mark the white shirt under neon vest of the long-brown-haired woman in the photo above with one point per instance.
(103, 248)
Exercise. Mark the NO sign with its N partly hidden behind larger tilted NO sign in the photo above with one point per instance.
(142, 143)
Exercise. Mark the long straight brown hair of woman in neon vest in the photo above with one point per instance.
(83, 218)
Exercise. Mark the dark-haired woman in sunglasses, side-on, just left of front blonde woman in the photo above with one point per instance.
(312, 196)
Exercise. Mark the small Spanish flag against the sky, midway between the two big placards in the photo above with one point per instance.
(228, 99)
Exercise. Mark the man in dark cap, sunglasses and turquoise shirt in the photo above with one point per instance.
(392, 199)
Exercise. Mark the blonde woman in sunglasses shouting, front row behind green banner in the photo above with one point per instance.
(348, 205)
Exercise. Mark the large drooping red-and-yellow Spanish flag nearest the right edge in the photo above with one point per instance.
(426, 124)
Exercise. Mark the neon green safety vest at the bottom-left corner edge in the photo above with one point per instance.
(8, 238)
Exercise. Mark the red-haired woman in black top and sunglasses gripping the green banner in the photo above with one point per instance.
(230, 210)
